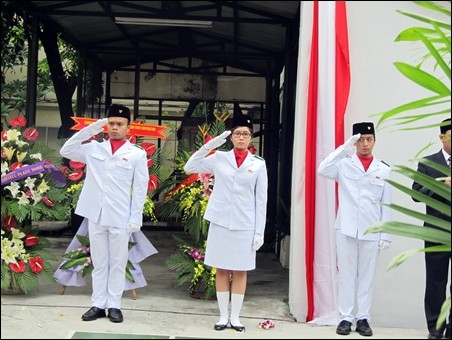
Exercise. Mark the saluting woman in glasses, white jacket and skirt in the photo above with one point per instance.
(236, 211)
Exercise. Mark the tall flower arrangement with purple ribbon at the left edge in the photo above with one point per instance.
(32, 190)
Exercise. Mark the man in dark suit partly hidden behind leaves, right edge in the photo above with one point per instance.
(436, 263)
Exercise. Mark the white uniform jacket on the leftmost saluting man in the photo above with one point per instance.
(109, 196)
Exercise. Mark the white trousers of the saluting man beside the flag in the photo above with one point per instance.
(357, 263)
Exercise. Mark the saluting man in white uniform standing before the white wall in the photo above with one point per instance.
(362, 187)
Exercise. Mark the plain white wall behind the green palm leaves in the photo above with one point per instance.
(377, 86)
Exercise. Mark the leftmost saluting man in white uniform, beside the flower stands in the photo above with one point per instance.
(112, 199)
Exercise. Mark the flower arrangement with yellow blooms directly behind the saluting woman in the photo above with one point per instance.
(186, 198)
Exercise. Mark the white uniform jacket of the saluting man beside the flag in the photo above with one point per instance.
(360, 193)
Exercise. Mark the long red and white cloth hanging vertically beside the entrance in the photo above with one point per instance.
(323, 84)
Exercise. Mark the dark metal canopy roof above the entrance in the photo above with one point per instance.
(250, 35)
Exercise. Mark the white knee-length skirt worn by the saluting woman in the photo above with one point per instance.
(230, 249)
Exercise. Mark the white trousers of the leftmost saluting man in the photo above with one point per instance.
(109, 248)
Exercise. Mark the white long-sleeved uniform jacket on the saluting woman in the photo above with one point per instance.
(239, 197)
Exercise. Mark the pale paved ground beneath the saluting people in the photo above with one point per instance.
(164, 311)
